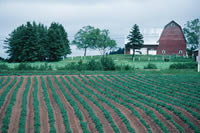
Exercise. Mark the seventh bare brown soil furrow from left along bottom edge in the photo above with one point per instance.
(106, 125)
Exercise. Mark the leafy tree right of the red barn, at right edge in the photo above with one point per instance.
(191, 31)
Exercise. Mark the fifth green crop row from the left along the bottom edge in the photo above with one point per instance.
(61, 106)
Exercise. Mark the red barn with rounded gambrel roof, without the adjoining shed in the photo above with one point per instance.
(172, 40)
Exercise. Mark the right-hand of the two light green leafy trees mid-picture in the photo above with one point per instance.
(104, 43)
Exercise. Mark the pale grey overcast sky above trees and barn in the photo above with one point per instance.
(116, 15)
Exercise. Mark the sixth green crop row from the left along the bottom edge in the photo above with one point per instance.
(77, 111)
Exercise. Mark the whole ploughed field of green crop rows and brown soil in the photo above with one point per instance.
(100, 103)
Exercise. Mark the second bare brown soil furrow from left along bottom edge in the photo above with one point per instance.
(30, 109)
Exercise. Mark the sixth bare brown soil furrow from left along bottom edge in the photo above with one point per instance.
(91, 125)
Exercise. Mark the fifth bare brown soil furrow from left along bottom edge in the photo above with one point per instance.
(73, 120)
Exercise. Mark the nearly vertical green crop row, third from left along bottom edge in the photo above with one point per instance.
(36, 107)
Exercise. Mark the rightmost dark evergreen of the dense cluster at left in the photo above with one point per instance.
(58, 42)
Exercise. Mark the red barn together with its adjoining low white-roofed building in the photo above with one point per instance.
(171, 42)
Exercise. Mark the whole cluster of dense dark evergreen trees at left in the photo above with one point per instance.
(34, 42)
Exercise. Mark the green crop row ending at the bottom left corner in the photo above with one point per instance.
(6, 119)
